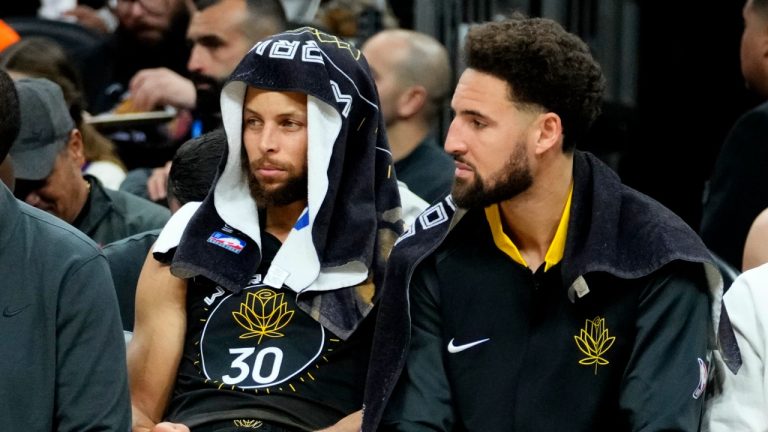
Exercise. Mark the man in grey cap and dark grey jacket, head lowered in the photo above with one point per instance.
(47, 158)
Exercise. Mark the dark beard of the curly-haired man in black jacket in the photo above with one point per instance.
(514, 179)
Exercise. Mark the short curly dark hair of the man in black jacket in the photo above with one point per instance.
(543, 65)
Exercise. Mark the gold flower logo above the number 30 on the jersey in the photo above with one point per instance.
(263, 313)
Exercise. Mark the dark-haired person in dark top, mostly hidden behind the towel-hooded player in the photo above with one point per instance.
(192, 173)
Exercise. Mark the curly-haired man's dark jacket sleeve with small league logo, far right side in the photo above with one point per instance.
(663, 386)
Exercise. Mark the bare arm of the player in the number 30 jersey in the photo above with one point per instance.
(156, 347)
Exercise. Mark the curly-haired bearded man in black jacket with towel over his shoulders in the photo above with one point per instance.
(542, 295)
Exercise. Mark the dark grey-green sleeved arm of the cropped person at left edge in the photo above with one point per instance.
(91, 383)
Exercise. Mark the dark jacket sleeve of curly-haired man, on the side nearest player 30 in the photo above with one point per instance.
(422, 399)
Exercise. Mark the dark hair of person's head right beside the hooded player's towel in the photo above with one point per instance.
(194, 166)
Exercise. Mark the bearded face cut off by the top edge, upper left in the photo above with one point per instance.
(148, 20)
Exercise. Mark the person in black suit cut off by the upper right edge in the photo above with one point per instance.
(738, 188)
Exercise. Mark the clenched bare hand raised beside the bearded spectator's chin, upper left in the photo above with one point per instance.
(151, 88)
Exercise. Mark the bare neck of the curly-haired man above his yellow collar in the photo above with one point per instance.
(531, 219)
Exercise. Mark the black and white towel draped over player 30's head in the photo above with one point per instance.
(335, 254)
